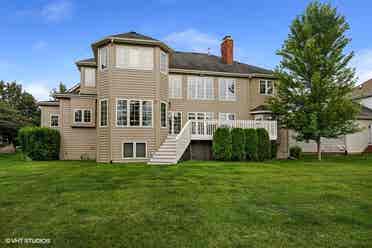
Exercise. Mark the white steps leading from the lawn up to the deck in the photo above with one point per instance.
(167, 153)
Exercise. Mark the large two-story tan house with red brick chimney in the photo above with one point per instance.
(139, 100)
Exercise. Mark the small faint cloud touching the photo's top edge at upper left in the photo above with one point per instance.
(57, 10)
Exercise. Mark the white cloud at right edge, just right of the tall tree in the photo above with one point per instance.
(363, 64)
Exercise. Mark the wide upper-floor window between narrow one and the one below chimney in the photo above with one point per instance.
(200, 88)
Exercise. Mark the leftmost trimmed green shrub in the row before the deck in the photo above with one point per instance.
(222, 144)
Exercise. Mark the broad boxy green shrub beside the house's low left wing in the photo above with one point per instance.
(39, 143)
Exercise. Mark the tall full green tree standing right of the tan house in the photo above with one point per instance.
(314, 79)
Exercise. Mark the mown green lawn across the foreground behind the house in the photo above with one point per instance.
(194, 204)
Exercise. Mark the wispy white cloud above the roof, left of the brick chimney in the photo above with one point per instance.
(194, 40)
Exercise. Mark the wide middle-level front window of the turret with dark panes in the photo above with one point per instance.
(133, 113)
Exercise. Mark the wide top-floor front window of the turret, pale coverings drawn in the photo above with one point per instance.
(134, 57)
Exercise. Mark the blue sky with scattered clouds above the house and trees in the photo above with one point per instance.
(41, 40)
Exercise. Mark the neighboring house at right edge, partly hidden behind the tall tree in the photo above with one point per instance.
(358, 142)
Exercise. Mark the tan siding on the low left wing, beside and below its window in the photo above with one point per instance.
(76, 142)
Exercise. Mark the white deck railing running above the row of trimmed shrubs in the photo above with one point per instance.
(204, 130)
